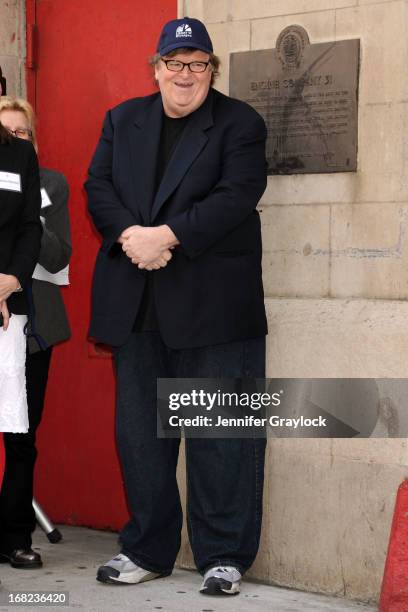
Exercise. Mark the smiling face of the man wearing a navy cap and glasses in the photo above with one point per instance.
(183, 92)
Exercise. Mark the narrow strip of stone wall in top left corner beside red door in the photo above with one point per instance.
(12, 45)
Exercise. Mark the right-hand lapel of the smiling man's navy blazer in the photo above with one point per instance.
(188, 148)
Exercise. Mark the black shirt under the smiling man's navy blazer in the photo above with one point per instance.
(172, 129)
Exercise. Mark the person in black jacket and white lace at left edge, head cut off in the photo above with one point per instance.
(20, 241)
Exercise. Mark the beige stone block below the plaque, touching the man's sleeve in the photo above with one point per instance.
(296, 260)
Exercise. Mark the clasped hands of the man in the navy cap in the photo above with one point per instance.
(148, 247)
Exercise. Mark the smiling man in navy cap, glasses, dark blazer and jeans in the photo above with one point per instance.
(173, 187)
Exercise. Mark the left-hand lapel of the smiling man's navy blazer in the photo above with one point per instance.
(144, 141)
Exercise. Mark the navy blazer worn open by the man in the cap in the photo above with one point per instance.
(211, 291)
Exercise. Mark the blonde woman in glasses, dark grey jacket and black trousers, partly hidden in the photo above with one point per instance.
(17, 518)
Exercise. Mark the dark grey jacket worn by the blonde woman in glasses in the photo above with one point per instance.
(50, 315)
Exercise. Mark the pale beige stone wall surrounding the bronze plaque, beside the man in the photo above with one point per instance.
(336, 281)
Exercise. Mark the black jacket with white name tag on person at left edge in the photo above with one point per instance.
(20, 225)
